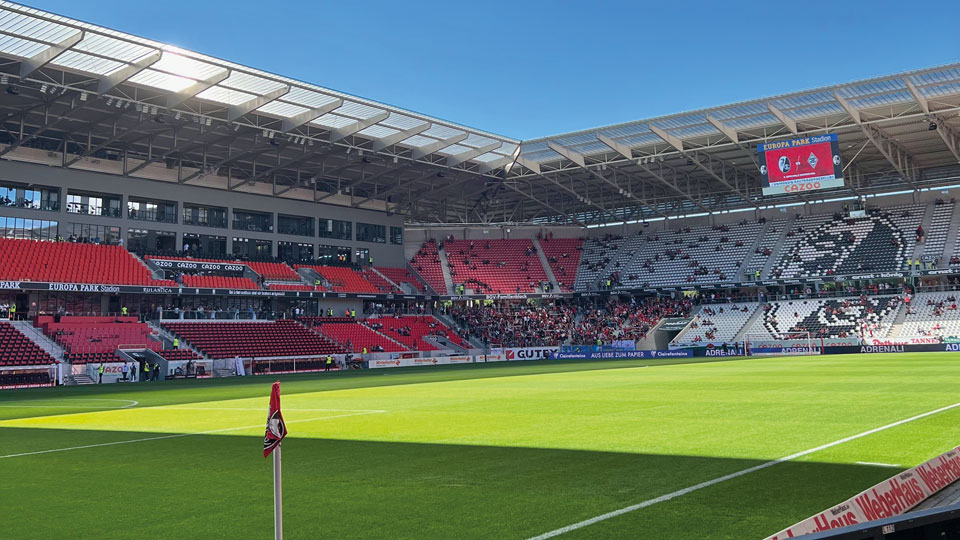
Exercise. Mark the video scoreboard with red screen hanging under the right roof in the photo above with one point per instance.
(806, 164)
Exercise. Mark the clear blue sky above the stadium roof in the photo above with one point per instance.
(528, 69)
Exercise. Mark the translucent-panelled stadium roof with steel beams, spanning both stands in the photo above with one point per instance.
(86, 97)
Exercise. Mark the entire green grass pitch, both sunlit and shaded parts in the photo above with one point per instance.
(484, 451)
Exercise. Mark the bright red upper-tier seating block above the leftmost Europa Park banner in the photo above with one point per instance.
(33, 260)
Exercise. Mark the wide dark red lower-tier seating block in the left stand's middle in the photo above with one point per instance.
(253, 339)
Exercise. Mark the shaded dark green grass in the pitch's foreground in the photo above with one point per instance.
(219, 486)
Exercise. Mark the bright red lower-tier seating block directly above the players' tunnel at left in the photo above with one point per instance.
(96, 339)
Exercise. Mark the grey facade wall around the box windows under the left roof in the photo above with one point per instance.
(126, 187)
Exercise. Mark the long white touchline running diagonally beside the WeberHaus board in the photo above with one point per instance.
(708, 483)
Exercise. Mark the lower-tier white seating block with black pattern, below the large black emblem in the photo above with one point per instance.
(829, 318)
